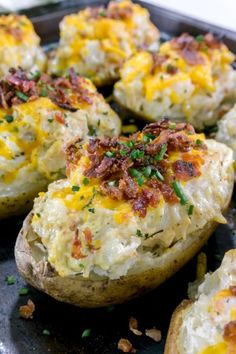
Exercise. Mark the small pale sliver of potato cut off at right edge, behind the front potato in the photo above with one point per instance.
(227, 130)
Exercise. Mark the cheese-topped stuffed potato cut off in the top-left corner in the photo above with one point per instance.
(19, 45)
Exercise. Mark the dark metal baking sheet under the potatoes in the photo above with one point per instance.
(66, 323)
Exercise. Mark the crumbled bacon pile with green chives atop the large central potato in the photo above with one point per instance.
(138, 170)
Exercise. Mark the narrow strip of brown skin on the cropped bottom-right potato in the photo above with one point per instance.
(175, 324)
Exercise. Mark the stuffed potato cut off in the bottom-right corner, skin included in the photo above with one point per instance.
(207, 325)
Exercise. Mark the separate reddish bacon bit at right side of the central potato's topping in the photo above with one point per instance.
(185, 170)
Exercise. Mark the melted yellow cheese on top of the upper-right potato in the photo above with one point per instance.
(159, 77)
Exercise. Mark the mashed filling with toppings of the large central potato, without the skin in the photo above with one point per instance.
(127, 200)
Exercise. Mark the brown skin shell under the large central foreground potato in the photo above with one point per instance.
(101, 291)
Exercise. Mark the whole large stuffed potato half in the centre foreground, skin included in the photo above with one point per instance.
(131, 212)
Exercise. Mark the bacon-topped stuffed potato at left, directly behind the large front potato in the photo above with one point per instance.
(39, 115)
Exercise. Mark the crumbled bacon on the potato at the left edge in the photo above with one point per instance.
(64, 92)
